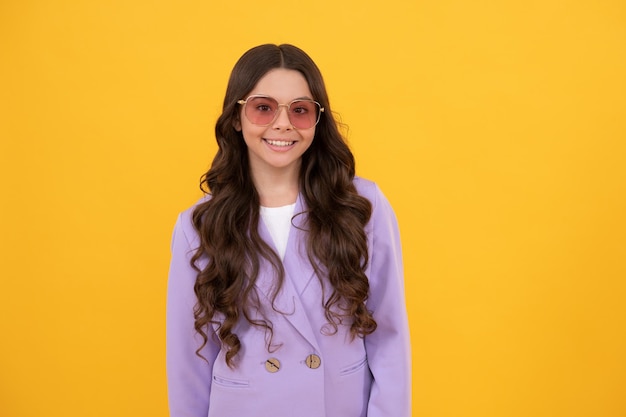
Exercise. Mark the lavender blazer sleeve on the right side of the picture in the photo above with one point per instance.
(388, 348)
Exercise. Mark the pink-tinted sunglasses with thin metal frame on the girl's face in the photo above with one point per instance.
(263, 110)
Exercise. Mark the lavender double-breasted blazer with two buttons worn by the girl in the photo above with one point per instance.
(307, 372)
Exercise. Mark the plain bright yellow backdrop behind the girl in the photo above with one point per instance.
(495, 128)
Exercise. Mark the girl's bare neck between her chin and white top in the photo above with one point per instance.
(277, 187)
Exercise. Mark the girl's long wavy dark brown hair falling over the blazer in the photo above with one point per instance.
(228, 221)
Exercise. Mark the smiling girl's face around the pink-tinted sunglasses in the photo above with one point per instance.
(279, 145)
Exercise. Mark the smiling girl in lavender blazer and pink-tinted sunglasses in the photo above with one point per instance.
(285, 294)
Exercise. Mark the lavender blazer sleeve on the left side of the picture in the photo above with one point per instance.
(188, 376)
